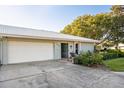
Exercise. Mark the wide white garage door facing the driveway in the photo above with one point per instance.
(20, 51)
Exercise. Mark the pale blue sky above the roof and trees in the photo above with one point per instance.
(46, 17)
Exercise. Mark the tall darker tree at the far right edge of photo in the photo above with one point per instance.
(116, 33)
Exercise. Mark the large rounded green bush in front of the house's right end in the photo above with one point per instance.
(88, 59)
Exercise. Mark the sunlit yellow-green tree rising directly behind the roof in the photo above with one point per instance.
(85, 26)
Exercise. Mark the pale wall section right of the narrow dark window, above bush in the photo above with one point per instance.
(87, 47)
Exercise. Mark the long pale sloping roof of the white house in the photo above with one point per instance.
(12, 31)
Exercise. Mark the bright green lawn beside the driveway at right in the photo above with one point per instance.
(115, 64)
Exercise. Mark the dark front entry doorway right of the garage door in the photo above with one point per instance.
(64, 50)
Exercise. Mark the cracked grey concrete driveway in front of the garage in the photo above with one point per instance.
(53, 74)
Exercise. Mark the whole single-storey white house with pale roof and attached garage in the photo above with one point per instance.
(19, 45)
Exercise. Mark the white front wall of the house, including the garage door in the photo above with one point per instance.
(27, 50)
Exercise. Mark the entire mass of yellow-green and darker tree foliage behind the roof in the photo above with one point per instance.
(103, 26)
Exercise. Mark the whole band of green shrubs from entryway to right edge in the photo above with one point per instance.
(89, 59)
